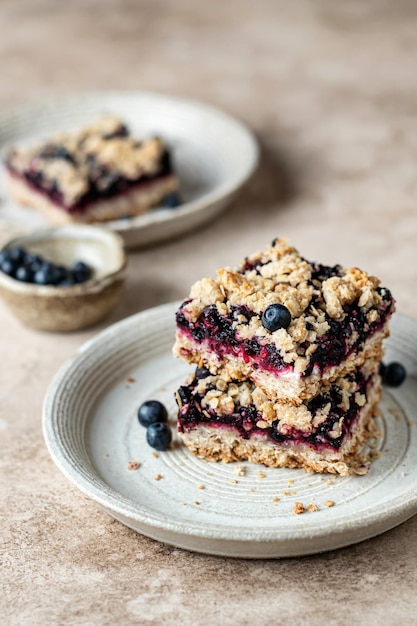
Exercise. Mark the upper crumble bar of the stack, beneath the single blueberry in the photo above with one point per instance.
(337, 319)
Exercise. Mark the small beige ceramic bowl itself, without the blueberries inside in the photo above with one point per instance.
(56, 308)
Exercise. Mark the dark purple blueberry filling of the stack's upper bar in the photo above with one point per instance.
(218, 333)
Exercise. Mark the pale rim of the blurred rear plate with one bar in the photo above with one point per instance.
(212, 197)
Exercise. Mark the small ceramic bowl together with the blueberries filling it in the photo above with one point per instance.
(63, 278)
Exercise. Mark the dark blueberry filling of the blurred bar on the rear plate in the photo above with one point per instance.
(102, 182)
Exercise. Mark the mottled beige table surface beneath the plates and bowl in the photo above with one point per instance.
(330, 90)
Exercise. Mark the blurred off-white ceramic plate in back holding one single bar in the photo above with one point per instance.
(213, 154)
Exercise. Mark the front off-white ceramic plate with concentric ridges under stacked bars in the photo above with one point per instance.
(92, 433)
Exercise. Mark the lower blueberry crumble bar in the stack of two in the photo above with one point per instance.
(235, 421)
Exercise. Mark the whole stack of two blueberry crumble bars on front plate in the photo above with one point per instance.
(287, 356)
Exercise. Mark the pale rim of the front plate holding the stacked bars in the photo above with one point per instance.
(401, 507)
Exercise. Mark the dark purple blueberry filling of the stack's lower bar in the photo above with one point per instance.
(331, 432)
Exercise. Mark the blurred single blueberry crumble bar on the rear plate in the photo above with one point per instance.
(95, 174)
